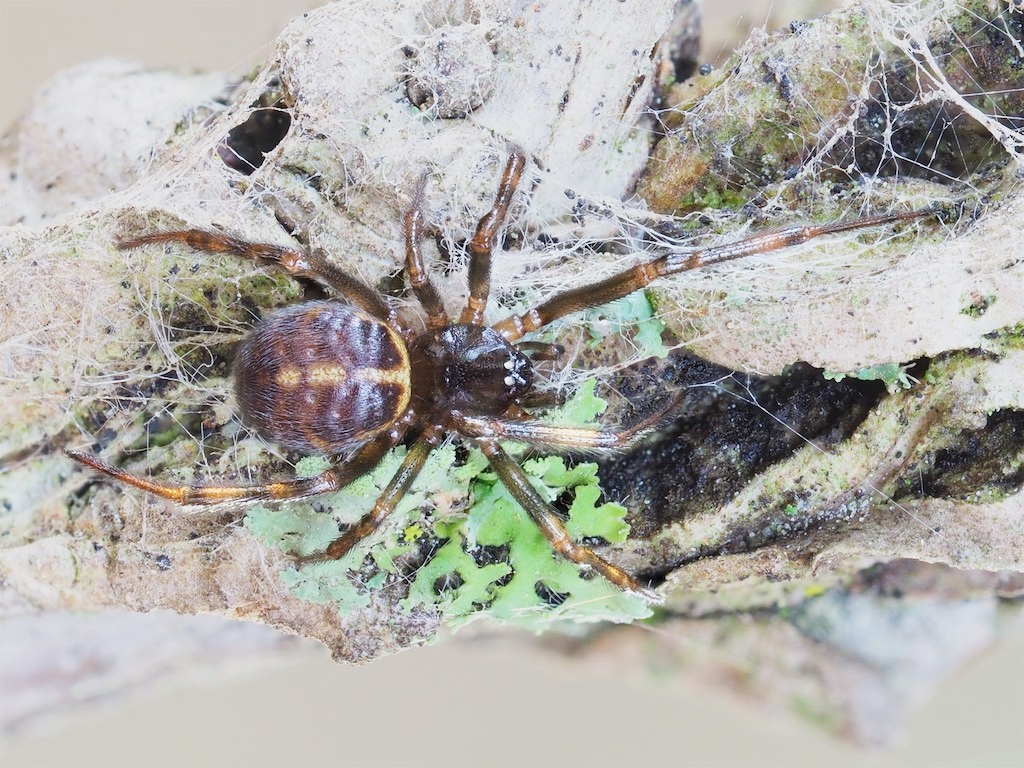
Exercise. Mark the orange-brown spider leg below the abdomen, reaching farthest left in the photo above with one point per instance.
(332, 480)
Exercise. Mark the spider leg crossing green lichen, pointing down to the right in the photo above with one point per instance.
(547, 520)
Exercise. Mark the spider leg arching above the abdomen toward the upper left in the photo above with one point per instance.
(296, 262)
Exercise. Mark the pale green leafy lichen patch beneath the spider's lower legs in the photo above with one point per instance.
(490, 562)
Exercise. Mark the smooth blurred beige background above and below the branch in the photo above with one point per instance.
(482, 698)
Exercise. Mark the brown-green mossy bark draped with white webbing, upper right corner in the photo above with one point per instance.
(781, 113)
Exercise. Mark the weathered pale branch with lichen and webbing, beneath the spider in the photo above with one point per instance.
(764, 495)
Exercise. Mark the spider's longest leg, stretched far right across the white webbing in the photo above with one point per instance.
(646, 273)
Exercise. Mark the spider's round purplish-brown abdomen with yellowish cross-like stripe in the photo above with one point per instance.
(321, 377)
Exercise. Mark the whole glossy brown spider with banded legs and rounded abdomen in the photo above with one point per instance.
(346, 377)
